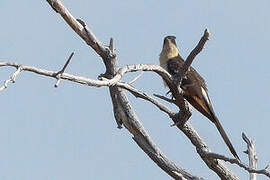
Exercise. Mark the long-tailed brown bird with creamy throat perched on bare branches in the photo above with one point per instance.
(193, 86)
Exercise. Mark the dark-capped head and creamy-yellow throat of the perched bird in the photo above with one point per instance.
(169, 49)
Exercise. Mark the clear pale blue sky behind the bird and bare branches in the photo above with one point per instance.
(69, 132)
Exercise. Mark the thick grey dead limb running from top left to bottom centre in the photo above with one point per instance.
(123, 110)
